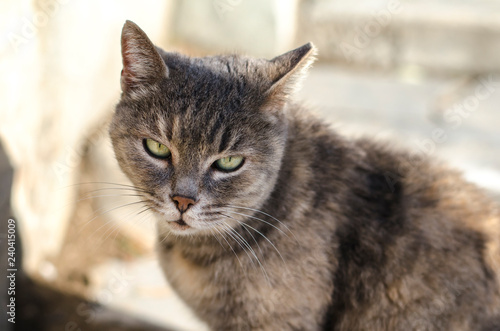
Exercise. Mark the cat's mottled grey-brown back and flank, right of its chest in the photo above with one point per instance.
(418, 246)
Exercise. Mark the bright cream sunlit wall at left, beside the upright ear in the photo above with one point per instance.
(59, 80)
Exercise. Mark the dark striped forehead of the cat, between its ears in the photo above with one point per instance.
(209, 94)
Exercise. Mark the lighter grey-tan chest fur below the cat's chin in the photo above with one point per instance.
(231, 296)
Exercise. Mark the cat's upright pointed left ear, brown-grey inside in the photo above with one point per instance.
(142, 64)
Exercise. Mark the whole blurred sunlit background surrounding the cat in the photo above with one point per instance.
(420, 74)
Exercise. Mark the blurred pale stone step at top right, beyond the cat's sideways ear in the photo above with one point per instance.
(454, 36)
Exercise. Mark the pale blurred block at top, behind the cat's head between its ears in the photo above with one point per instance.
(263, 28)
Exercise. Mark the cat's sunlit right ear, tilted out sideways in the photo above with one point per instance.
(287, 72)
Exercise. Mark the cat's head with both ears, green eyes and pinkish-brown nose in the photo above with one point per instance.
(202, 138)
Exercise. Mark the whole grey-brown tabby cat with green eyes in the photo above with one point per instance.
(269, 220)
